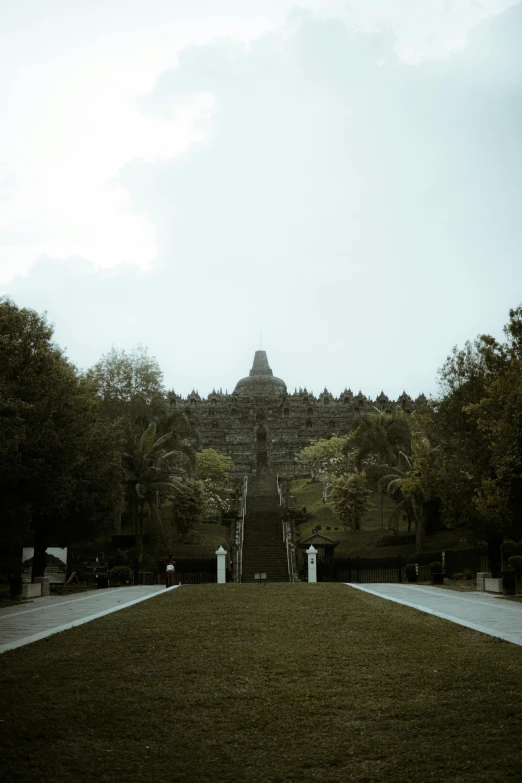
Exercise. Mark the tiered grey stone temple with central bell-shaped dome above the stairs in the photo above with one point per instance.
(261, 425)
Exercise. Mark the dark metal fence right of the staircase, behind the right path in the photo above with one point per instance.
(391, 568)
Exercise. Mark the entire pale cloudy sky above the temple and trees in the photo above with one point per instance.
(340, 184)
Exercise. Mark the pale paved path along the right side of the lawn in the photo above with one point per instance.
(481, 611)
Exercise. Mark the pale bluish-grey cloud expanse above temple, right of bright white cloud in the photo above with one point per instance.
(361, 212)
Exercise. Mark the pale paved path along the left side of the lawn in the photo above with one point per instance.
(25, 623)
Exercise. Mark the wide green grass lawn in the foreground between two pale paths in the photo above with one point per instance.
(272, 683)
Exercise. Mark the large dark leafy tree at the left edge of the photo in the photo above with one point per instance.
(60, 482)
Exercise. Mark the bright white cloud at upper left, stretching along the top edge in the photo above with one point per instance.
(74, 121)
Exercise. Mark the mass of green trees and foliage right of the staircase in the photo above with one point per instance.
(456, 460)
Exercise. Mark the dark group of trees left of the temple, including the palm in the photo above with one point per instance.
(79, 449)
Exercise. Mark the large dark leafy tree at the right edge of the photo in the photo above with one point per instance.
(474, 432)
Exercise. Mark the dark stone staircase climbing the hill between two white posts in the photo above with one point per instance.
(263, 548)
